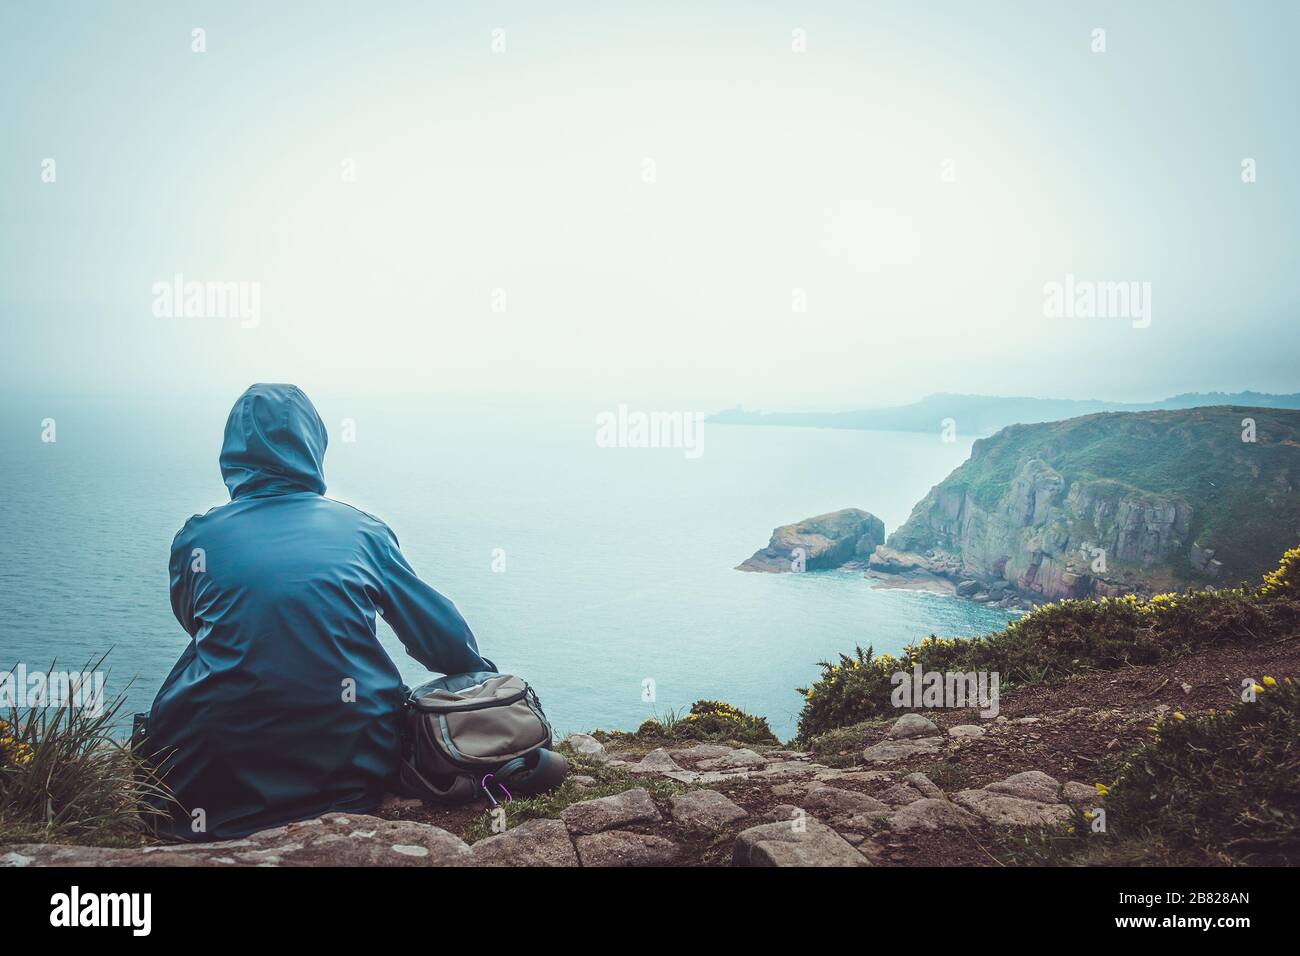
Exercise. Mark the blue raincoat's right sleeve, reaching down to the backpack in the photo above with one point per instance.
(424, 621)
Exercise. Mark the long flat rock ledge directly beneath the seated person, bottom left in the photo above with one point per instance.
(336, 840)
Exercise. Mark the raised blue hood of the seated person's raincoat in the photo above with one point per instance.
(275, 444)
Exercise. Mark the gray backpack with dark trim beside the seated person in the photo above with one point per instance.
(478, 734)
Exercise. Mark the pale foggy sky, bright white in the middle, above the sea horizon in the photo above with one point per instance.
(518, 179)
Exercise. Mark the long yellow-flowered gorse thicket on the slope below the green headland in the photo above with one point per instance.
(1058, 641)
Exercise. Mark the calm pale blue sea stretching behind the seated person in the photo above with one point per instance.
(618, 563)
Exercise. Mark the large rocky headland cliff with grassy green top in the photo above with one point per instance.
(1108, 505)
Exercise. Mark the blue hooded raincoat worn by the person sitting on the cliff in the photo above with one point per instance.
(285, 706)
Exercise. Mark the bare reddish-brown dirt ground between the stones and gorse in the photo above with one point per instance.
(1077, 730)
